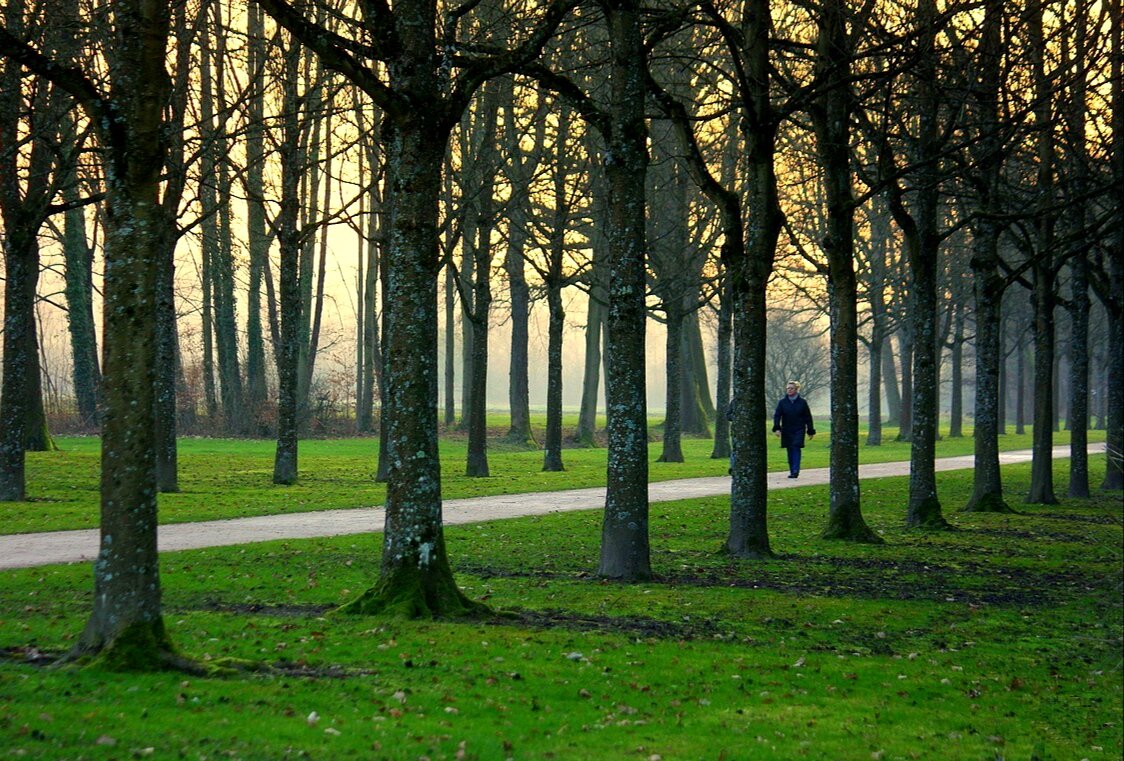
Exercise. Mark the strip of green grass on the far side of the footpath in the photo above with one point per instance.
(233, 478)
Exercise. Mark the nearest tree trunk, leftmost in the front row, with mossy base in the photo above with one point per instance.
(126, 629)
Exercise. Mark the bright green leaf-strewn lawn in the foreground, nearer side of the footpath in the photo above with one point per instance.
(998, 641)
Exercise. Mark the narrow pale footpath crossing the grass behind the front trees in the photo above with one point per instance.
(76, 547)
